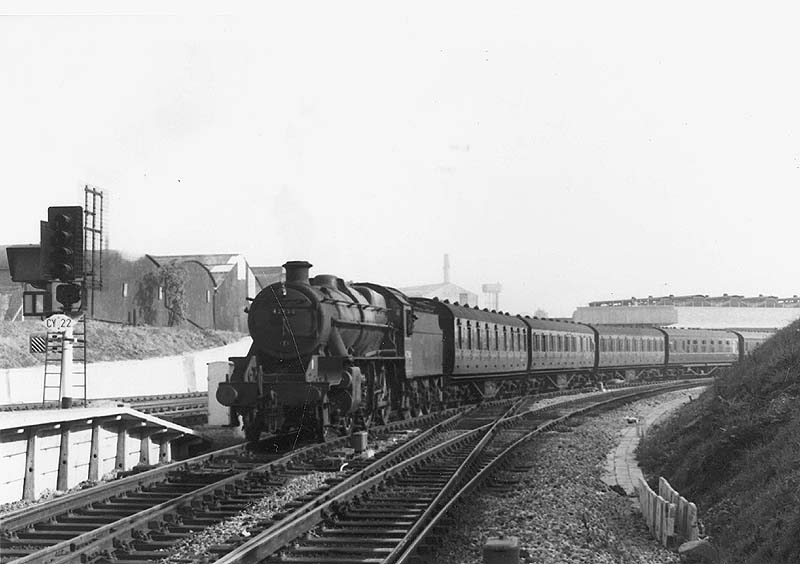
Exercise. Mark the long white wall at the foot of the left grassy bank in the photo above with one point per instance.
(166, 375)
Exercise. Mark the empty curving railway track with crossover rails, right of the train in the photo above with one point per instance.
(387, 517)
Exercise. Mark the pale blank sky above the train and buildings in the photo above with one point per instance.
(572, 151)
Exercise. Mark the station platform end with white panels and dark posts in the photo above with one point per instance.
(57, 449)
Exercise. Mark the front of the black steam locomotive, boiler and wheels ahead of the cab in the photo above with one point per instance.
(311, 341)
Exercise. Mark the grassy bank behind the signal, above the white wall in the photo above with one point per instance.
(107, 341)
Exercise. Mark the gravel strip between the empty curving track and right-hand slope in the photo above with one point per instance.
(561, 510)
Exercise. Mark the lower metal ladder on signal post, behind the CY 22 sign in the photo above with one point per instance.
(54, 351)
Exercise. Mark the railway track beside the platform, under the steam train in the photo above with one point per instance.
(169, 502)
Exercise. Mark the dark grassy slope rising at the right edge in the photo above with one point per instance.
(735, 452)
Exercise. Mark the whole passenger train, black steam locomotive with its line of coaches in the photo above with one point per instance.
(328, 356)
